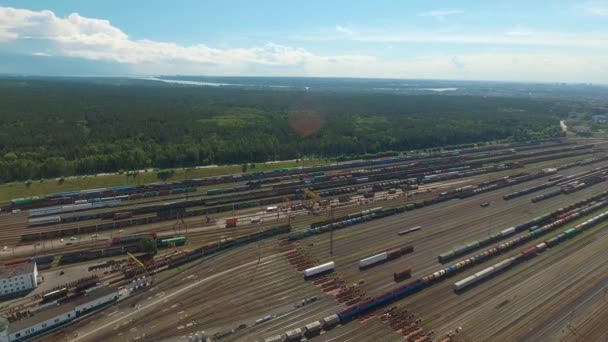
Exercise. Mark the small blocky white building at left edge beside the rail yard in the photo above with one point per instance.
(18, 278)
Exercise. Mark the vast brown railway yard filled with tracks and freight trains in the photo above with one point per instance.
(497, 243)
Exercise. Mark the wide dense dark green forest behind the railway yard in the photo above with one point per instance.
(62, 127)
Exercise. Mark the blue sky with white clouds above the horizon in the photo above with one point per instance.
(547, 41)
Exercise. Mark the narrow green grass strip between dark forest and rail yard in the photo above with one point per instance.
(17, 190)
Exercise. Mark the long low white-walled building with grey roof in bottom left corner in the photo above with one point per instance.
(54, 317)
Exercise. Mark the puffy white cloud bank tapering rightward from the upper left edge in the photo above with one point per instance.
(96, 39)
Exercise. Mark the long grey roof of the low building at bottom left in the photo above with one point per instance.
(56, 311)
